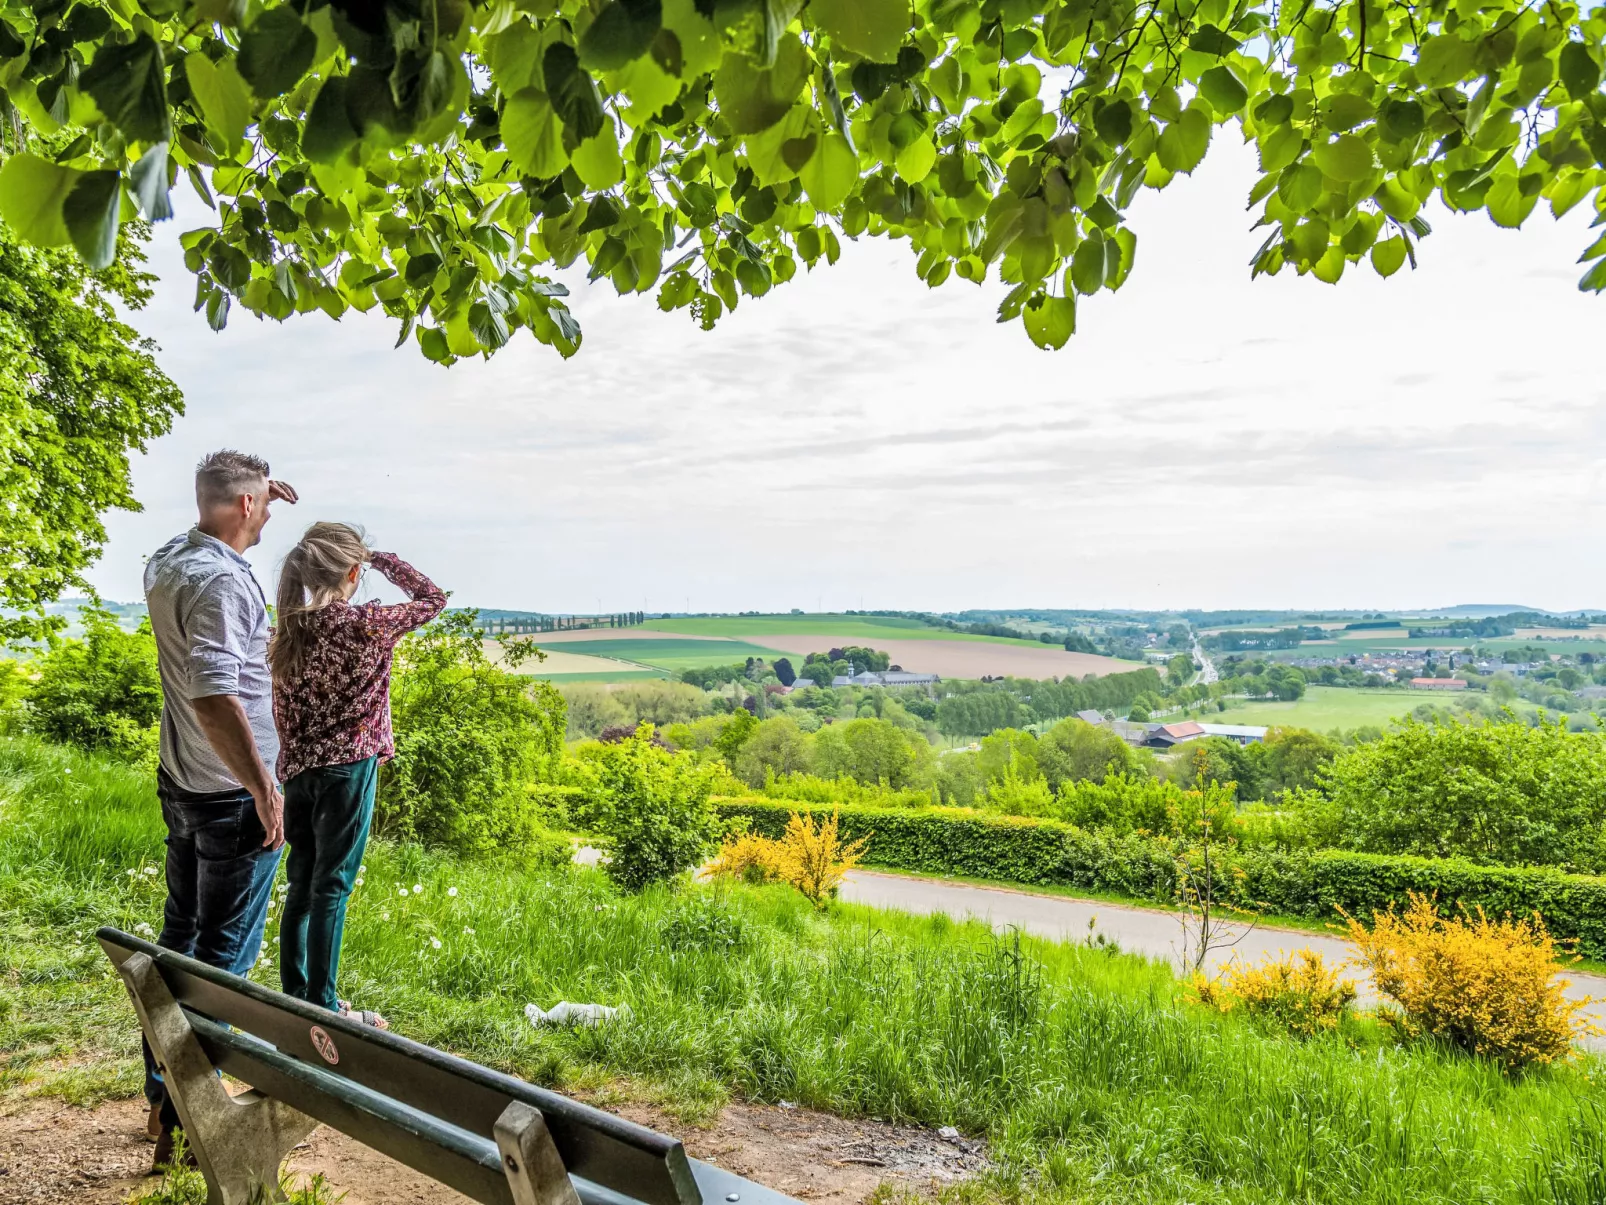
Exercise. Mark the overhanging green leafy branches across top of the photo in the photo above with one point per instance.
(436, 158)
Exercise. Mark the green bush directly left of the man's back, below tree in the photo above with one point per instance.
(100, 693)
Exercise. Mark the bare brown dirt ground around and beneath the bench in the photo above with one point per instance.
(54, 1154)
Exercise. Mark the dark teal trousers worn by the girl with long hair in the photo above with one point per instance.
(327, 817)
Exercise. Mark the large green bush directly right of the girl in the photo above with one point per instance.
(471, 738)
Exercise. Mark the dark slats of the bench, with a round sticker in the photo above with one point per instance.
(422, 1106)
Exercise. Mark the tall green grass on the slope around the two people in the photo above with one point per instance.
(1088, 1072)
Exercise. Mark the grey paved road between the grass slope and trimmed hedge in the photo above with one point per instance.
(1141, 931)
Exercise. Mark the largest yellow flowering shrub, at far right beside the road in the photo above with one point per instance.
(1490, 987)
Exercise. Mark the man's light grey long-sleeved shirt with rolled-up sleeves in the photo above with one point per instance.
(211, 624)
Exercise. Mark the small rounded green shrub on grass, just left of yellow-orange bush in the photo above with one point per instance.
(658, 819)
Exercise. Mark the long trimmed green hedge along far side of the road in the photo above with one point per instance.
(1045, 852)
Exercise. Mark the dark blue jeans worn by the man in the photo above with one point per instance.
(219, 881)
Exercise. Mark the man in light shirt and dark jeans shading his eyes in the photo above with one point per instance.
(221, 803)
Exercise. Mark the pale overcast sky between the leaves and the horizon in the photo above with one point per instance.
(860, 441)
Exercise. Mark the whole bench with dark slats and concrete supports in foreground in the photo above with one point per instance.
(491, 1137)
